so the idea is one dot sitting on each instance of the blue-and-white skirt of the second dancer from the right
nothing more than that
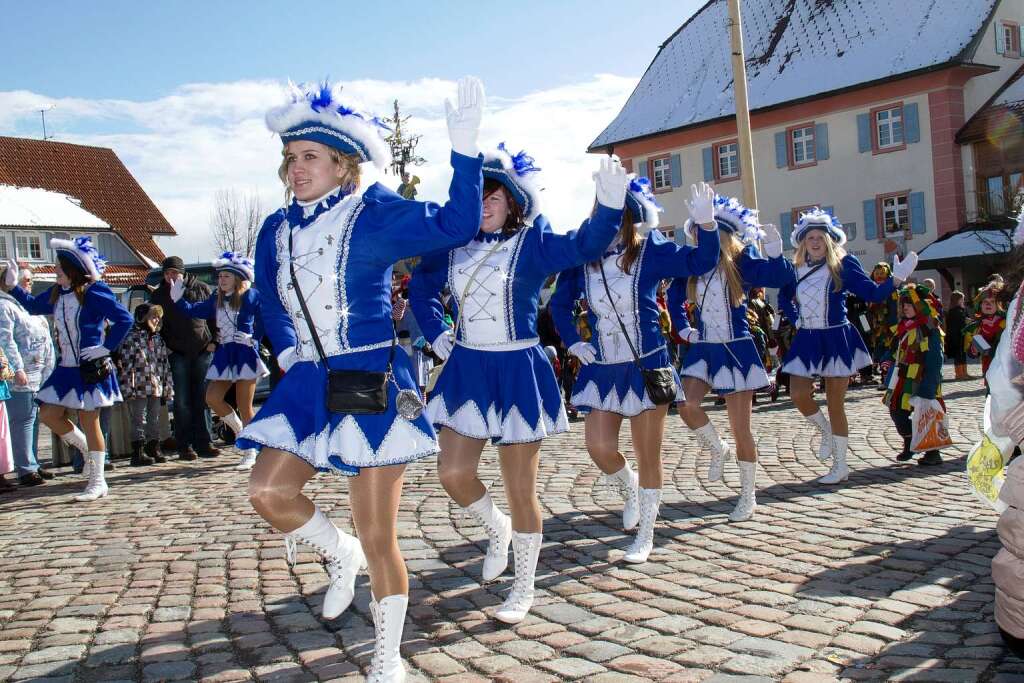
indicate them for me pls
(727, 367)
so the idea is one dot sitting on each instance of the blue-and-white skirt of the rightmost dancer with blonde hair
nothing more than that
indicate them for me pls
(835, 352)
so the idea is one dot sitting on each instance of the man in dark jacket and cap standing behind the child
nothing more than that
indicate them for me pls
(191, 344)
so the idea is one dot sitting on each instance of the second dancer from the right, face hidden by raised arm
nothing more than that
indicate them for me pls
(722, 355)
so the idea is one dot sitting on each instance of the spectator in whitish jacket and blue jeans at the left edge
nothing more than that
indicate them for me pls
(26, 341)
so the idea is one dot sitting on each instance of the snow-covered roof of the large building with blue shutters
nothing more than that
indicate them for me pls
(795, 50)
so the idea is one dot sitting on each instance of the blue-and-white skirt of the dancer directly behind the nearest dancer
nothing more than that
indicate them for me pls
(507, 397)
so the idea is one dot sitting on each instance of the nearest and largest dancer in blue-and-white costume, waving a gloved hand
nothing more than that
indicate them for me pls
(342, 240)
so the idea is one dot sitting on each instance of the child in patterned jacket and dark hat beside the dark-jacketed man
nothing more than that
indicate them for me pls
(145, 376)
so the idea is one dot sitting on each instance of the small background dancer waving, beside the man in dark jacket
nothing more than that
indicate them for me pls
(236, 363)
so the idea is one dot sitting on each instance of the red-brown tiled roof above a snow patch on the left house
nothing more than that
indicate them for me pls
(95, 176)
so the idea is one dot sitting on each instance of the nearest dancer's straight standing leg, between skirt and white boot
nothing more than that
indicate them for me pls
(375, 495)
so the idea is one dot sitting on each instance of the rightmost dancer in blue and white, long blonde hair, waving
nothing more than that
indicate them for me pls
(826, 345)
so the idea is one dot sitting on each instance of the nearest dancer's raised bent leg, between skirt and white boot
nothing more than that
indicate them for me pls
(276, 490)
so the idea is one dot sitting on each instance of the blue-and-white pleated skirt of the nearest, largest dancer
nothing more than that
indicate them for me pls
(295, 419)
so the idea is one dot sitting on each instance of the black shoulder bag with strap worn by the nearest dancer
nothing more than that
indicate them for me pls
(353, 392)
